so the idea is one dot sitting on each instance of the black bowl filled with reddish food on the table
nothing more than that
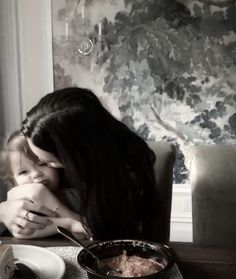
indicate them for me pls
(127, 259)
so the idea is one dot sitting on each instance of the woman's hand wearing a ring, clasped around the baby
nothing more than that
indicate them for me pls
(16, 216)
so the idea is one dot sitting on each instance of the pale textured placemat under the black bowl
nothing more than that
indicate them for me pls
(69, 254)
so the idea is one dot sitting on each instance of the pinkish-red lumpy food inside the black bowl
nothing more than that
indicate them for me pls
(133, 266)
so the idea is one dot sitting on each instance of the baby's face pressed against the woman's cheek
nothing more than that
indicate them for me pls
(26, 171)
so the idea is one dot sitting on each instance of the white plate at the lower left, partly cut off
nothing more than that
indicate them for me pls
(46, 264)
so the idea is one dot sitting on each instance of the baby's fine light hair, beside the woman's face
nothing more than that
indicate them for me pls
(15, 142)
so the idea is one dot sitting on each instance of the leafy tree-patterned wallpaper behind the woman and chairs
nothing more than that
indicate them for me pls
(165, 68)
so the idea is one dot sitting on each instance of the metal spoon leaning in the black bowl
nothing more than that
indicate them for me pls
(102, 267)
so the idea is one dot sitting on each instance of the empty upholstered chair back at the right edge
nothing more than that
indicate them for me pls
(213, 182)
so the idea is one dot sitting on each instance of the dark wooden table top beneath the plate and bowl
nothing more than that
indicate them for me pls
(193, 262)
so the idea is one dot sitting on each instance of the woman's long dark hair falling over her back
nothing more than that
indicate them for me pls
(110, 165)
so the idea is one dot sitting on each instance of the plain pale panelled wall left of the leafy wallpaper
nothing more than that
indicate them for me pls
(26, 67)
